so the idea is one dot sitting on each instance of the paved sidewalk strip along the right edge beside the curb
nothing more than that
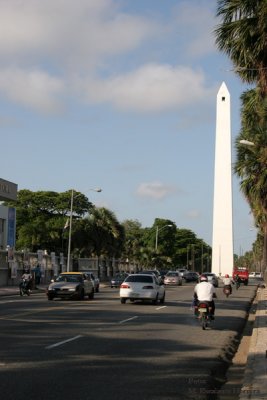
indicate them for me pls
(255, 377)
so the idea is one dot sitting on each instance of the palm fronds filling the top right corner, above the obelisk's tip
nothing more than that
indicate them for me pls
(242, 36)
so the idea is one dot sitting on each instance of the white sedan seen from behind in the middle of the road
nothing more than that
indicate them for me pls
(142, 287)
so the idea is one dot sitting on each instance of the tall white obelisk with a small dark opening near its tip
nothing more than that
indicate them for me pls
(222, 235)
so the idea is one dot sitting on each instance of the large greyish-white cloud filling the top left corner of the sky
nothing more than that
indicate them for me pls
(76, 34)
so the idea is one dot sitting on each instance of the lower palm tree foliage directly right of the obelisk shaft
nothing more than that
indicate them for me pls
(251, 164)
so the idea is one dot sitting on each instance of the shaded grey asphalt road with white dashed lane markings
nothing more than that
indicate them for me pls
(102, 349)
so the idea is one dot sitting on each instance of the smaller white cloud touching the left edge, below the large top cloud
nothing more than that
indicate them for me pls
(34, 89)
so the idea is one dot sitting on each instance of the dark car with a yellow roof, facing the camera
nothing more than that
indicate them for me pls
(71, 285)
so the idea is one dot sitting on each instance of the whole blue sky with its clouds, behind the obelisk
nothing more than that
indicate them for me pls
(119, 95)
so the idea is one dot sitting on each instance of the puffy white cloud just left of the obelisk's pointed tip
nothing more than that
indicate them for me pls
(152, 88)
